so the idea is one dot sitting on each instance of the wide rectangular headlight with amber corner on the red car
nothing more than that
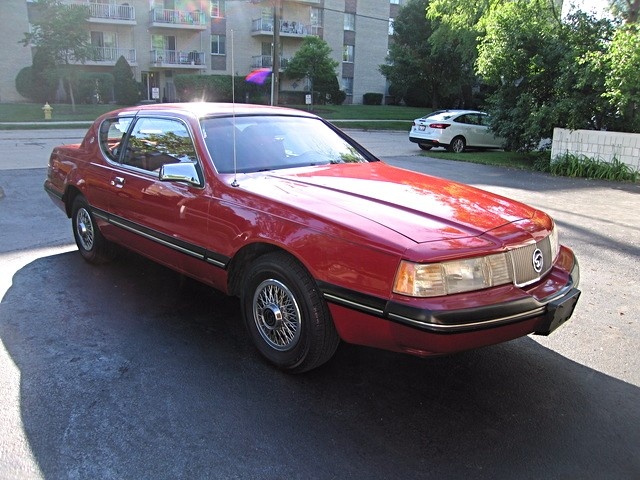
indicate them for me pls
(455, 276)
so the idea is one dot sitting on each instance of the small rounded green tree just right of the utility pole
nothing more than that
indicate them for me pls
(313, 61)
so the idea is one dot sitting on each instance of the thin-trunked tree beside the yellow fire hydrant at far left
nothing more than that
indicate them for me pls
(59, 32)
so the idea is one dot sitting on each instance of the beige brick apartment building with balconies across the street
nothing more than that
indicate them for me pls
(164, 38)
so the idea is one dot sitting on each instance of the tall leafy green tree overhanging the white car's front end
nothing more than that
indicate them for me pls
(520, 54)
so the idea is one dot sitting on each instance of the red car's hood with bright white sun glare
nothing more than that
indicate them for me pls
(378, 197)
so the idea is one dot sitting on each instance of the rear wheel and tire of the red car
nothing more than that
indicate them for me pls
(93, 247)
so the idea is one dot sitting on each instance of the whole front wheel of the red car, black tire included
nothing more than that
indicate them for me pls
(286, 315)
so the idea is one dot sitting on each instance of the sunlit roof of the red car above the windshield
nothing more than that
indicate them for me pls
(209, 109)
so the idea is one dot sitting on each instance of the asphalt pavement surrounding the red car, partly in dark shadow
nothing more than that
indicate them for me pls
(129, 371)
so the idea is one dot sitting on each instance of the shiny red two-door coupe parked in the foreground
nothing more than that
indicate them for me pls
(321, 241)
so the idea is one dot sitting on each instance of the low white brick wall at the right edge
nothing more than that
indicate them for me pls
(597, 144)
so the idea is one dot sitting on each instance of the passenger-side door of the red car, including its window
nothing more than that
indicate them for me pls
(165, 220)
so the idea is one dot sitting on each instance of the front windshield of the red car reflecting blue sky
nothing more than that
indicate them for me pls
(271, 142)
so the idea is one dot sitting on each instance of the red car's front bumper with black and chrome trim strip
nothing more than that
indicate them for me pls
(427, 327)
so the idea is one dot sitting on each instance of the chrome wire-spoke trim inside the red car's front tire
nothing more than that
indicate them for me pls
(277, 315)
